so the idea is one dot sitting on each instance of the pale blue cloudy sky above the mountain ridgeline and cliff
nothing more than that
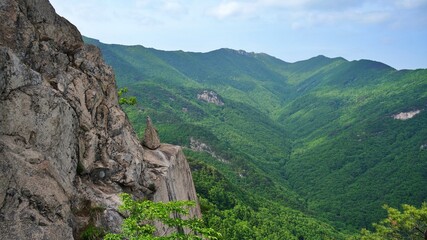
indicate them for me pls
(389, 31)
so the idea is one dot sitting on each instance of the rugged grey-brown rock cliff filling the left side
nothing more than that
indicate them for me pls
(66, 147)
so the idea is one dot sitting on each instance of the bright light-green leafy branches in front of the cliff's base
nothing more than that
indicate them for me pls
(142, 215)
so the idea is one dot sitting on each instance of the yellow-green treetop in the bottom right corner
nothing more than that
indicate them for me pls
(409, 224)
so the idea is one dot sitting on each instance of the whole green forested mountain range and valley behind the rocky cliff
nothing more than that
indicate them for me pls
(284, 146)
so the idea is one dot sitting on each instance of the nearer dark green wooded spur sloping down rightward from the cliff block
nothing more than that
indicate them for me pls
(239, 214)
